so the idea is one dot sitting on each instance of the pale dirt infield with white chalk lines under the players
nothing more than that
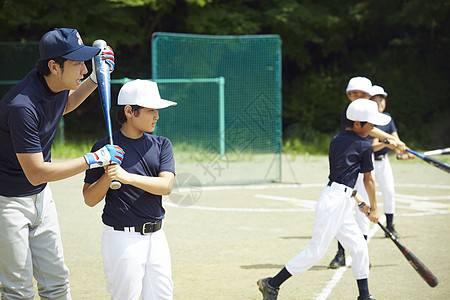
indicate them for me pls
(228, 237)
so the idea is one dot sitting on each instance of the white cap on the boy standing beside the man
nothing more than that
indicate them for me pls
(144, 93)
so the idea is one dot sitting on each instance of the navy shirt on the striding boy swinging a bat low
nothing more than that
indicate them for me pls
(349, 155)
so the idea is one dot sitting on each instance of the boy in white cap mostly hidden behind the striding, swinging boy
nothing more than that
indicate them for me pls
(361, 87)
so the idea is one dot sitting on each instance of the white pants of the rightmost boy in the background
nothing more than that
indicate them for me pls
(385, 179)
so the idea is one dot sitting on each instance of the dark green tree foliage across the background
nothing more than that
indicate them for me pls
(401, 45)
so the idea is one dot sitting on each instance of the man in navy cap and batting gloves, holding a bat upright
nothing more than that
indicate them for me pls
(29, 116)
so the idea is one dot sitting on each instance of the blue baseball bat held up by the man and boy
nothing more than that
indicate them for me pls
(104, 89)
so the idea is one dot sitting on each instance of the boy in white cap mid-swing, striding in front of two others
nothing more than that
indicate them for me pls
(350, 154)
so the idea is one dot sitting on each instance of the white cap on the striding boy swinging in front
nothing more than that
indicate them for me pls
(365, 110)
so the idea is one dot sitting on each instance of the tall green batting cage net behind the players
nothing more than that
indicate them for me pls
(226, 128)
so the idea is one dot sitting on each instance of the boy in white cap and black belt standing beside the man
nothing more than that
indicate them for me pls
(135, 252)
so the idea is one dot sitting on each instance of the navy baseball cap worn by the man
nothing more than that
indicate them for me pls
(65, 43)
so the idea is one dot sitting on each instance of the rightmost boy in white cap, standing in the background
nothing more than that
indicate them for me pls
(382, 167)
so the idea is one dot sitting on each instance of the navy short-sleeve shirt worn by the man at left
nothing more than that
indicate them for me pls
(29, 116)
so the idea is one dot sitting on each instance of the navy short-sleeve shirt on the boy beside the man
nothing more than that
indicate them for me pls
(129, 205)
